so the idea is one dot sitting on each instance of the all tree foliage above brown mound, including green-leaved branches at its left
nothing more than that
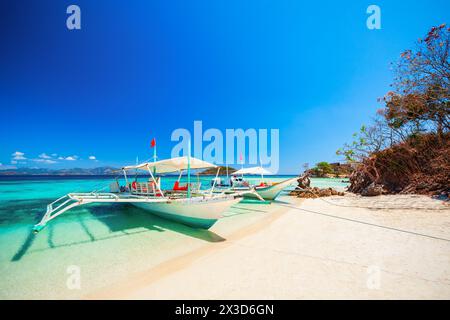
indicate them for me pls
(419, 103)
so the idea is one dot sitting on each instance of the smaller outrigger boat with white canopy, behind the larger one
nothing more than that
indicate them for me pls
(266, 190)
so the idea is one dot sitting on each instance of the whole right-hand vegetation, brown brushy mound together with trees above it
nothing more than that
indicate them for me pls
(406, 148)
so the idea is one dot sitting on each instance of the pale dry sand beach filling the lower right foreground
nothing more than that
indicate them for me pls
(387, 247)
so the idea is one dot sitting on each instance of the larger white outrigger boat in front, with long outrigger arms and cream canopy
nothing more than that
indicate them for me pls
(186, 204)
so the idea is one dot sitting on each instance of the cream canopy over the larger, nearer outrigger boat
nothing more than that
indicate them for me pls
(172, 165)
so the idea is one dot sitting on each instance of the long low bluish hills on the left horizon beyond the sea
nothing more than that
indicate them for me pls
(59, 172)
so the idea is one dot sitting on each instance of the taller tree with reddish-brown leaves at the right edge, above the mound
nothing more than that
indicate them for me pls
(420, 101)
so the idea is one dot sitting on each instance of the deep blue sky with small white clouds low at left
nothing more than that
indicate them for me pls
(141, 69)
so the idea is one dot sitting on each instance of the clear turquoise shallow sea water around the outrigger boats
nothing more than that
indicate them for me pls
(106, 241)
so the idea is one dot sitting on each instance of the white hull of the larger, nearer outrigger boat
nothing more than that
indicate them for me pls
(197, 213)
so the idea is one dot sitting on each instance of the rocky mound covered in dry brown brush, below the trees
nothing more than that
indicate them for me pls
(421, 165)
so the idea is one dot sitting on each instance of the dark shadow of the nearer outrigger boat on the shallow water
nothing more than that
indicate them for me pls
(121, 219)
